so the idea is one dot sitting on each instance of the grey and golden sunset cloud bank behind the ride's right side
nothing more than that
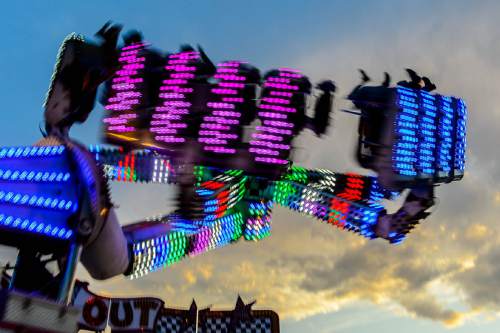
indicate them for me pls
(306, 267)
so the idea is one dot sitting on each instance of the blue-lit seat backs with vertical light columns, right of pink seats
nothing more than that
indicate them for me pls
(429, 135)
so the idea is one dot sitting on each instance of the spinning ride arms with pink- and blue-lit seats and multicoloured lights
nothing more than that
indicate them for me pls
(412, 139)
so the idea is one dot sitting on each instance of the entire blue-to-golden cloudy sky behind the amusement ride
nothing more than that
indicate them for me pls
(444, 278)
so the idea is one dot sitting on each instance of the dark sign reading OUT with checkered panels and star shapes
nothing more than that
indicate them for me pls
(145, 315)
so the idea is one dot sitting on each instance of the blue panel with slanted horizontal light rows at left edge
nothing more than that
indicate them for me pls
(38, 194)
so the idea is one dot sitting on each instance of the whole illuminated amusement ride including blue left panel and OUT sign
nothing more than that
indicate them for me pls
(179, 119)
